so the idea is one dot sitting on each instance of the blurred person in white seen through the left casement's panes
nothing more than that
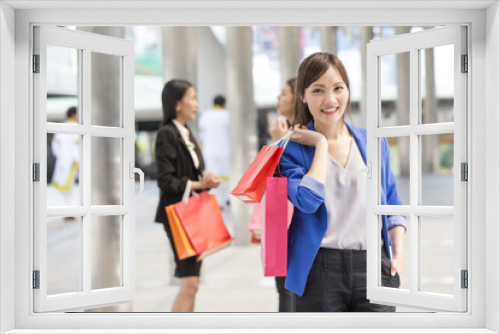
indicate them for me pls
(66, 149)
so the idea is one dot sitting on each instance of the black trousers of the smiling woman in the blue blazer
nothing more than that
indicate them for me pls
(337, 283)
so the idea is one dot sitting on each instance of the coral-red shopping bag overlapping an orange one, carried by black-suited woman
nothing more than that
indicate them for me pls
(202, 221)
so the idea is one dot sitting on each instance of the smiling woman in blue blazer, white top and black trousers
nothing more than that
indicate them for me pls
(327, 236)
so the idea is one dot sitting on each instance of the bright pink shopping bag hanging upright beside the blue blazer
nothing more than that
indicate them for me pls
(274, 231)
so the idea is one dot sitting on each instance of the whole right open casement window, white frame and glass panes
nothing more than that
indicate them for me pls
(428, 157)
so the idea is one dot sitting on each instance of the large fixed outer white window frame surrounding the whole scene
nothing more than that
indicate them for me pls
(484, 103)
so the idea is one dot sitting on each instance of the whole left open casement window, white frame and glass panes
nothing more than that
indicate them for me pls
(84, 168)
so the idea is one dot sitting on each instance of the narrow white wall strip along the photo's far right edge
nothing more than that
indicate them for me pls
(492, 163)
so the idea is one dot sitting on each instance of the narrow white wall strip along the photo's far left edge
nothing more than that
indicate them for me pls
(7, 160)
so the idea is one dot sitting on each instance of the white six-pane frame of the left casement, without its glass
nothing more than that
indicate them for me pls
(85, 44)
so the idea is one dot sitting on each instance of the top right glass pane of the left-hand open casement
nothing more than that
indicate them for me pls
(106, 90)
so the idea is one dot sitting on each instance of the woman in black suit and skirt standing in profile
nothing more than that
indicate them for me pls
(180, 171)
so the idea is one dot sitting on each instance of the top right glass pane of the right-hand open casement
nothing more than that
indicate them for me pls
(437, 84)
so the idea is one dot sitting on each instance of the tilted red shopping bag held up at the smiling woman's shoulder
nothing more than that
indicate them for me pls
(252, 185)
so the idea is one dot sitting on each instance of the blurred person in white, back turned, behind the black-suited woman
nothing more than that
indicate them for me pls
(214, 131)
